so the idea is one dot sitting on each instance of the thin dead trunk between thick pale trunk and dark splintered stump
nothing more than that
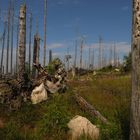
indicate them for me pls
(30, 37)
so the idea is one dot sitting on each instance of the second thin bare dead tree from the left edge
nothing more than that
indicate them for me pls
(8, 38)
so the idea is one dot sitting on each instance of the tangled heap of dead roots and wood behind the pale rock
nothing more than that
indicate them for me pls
(14, 92)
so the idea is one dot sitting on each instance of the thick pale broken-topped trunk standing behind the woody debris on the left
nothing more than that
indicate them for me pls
(22, 42)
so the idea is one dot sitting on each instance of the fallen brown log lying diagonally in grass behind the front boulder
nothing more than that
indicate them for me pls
(89, 108)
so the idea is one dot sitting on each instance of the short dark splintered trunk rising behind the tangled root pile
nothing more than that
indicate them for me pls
(36, 54)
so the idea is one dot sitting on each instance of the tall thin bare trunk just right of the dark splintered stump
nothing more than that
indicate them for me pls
(45, 18)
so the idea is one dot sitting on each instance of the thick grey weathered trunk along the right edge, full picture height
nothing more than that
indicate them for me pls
(135, 98)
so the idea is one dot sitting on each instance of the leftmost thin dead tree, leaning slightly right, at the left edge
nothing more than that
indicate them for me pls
(3, 44)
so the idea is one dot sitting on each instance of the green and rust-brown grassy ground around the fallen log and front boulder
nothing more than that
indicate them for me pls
(108, 93)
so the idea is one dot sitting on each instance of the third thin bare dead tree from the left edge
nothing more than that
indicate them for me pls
(12, 32)
